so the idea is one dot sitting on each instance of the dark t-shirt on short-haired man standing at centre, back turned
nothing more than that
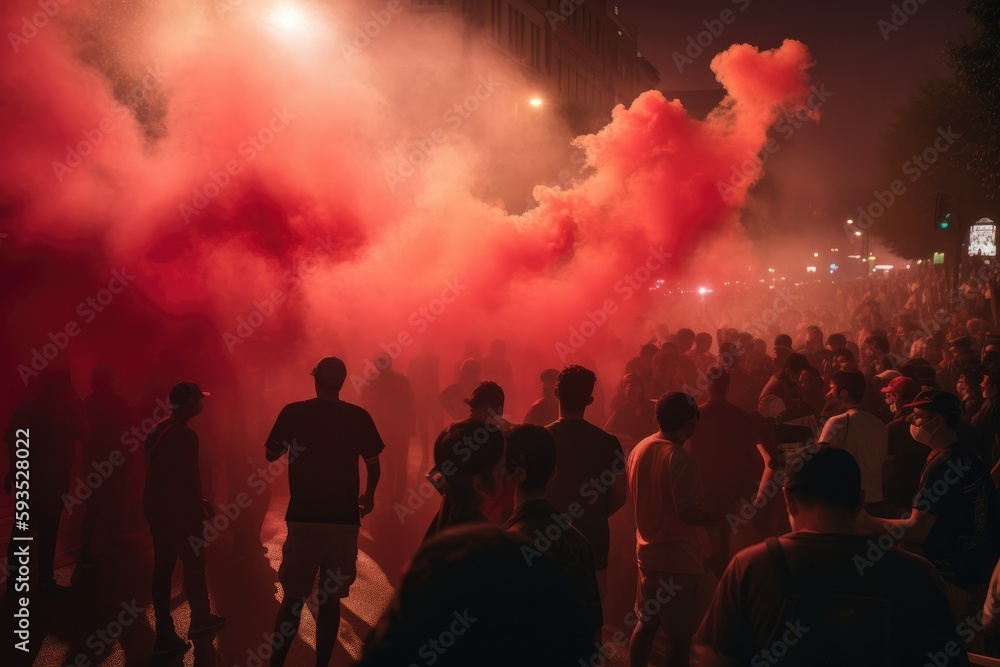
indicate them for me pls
(588, 461)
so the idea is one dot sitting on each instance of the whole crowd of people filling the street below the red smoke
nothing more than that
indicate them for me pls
(820, 488)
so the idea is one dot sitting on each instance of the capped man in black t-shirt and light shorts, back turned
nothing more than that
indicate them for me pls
(324, 437)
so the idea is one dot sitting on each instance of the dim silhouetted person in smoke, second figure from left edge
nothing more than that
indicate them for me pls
(110, 416)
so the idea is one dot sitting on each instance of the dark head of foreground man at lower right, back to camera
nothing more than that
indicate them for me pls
(823, 489)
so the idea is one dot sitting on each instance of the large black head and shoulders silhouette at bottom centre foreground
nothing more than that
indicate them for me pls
(477, 581)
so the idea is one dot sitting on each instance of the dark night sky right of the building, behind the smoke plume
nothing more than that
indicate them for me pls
(833, 163)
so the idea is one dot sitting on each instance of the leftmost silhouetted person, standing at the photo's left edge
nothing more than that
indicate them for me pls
(50, 424)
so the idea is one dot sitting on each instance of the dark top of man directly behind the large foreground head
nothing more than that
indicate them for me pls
(552, 536)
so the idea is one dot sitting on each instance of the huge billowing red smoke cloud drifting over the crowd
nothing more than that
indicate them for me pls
(279, 197)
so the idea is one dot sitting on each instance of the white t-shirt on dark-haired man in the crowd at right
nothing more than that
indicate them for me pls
(864, 436)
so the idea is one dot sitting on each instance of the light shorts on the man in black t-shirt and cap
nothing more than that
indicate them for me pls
(329, 550)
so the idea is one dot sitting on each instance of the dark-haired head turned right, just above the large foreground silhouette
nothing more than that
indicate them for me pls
(470, 457)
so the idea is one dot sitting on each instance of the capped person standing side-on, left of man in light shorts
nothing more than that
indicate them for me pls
(174, 507)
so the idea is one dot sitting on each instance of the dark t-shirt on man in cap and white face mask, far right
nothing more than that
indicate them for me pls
(957, 490)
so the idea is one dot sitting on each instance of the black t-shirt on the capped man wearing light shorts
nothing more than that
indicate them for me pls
(324, 440)
